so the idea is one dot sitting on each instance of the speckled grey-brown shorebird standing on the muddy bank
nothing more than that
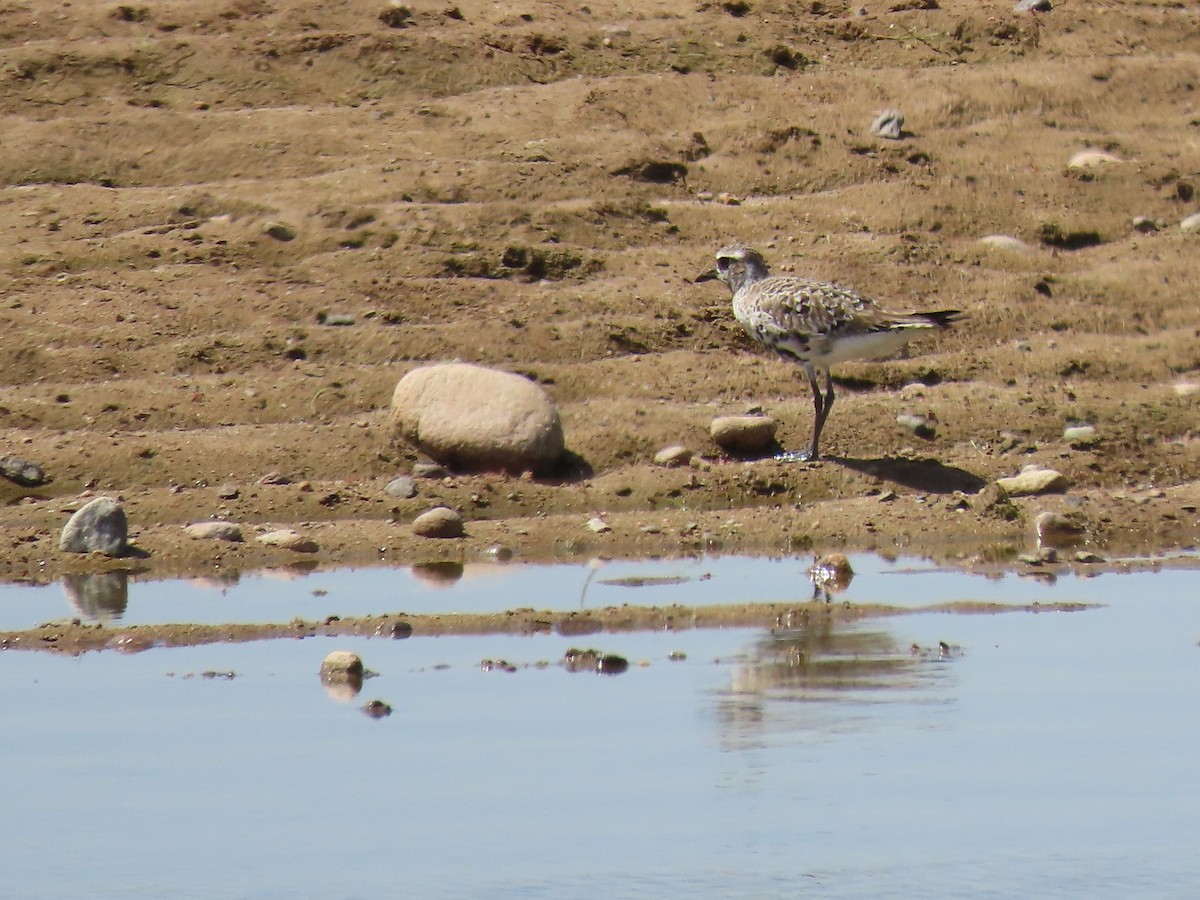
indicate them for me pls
(815, 325)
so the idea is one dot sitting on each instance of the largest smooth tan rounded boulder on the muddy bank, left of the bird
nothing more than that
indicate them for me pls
(478, 419)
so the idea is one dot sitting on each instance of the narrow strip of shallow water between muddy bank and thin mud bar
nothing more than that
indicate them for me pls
(281, 595)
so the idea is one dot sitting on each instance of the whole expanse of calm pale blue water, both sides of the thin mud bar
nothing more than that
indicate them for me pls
(1049, 754)
